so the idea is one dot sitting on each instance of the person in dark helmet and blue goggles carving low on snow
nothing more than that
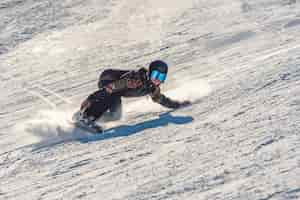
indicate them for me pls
(106, 103)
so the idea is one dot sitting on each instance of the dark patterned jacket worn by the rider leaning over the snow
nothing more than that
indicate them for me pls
(119, 84)
